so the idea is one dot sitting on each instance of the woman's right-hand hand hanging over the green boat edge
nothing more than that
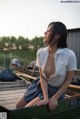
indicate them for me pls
(52, 103)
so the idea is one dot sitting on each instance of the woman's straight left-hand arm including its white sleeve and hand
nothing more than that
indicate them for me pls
(43, 81)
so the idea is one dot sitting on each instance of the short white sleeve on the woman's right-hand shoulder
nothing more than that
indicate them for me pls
(72, 62)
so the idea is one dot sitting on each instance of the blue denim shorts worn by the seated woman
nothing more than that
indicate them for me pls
(34, 90)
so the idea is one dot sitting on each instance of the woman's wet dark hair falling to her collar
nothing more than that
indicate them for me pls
(60, 28)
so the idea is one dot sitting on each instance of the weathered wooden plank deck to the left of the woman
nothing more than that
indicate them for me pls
(10, 93)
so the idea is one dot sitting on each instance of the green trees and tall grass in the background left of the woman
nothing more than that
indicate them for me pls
(22, 48)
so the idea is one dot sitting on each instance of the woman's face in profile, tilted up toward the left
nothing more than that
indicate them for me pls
(48, 35)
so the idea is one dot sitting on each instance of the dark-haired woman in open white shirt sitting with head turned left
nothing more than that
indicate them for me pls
(56, 66)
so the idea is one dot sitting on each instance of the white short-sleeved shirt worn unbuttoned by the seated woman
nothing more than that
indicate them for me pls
(65, 60)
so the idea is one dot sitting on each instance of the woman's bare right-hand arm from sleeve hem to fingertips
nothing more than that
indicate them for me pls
(54, 100)
